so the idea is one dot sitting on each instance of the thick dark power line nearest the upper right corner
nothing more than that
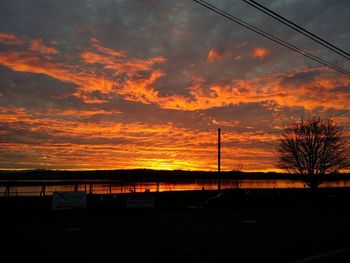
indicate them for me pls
(298, 28)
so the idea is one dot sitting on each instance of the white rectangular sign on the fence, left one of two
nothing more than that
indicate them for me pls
(68, 200)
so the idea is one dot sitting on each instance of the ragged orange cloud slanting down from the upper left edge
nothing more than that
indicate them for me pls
(85, 78)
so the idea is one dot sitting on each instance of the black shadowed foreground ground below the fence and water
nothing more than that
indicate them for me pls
(256, 226)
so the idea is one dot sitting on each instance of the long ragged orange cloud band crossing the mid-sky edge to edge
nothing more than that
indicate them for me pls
(282, 89)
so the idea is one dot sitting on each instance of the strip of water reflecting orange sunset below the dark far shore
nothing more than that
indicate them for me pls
(118, 188)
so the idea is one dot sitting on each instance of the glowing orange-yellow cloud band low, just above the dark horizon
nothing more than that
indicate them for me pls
(110, 144)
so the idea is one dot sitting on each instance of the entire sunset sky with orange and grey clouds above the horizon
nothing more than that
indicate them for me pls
(115, 84)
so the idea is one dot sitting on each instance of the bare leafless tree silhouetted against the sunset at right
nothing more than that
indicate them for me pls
(313, 148)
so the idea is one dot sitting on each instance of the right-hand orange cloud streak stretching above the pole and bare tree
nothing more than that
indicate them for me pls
(310, 95)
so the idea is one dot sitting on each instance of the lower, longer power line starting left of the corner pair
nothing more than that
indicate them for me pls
(271, 37)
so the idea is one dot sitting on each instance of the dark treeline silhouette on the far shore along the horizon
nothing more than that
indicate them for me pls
(146, 175)
